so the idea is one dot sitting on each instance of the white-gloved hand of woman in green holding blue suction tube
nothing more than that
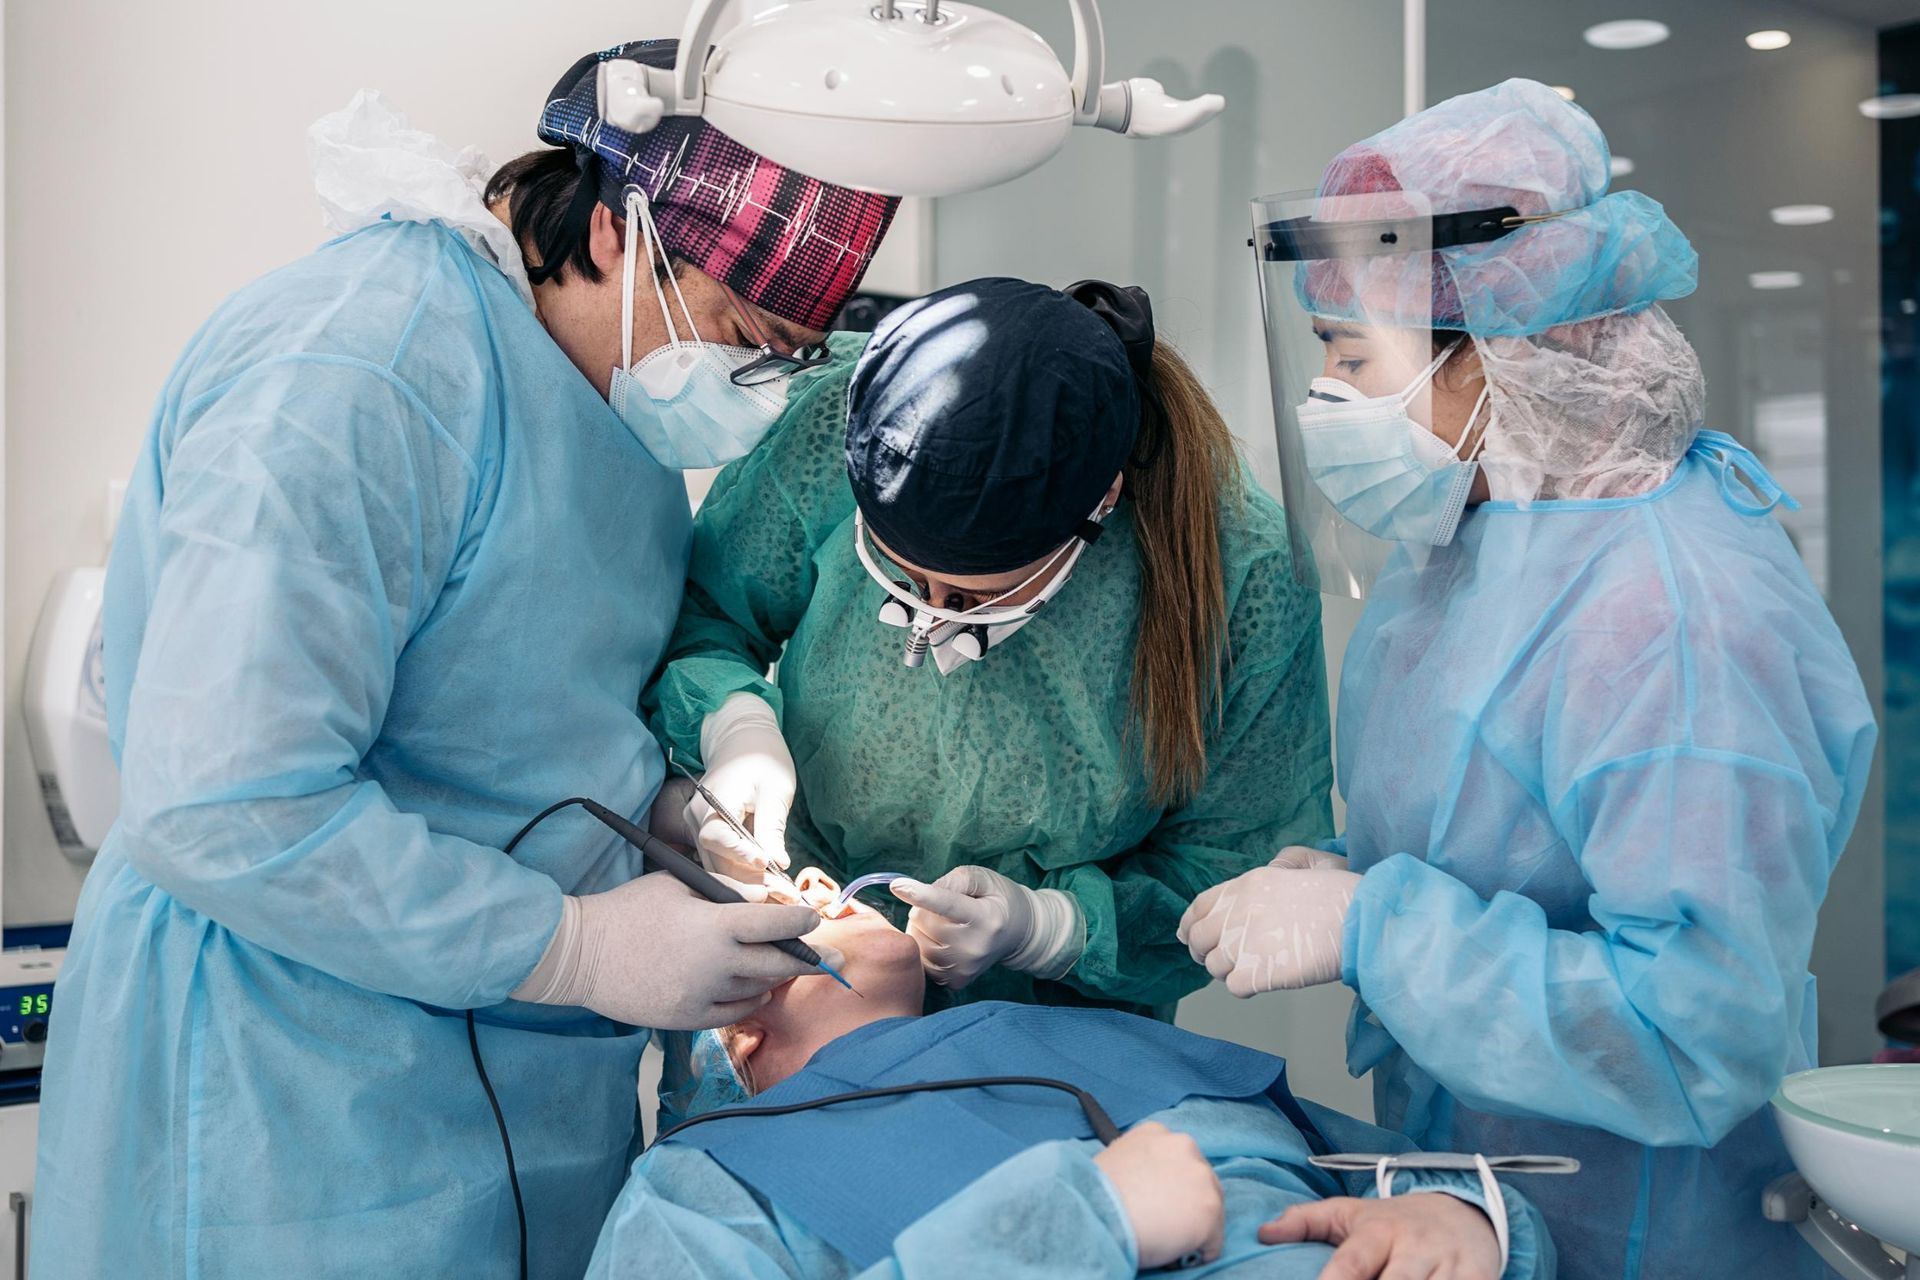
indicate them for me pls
(974, 918)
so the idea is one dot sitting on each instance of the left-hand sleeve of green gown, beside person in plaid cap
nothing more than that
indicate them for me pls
(752, 571)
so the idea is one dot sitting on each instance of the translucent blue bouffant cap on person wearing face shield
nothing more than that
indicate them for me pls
(1516, 145)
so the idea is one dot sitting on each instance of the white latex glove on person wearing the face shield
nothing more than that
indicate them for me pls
(1272, 930)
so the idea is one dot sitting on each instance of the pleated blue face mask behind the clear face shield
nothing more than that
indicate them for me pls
(1381, 469)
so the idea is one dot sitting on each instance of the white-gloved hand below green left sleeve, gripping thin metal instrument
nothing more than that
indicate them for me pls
(752, 774)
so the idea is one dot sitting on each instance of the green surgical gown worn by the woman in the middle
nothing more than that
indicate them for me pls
(1024, 763)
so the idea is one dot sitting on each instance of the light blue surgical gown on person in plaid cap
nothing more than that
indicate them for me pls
(389, 582)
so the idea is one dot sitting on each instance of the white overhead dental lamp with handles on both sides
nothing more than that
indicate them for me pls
(890, 95)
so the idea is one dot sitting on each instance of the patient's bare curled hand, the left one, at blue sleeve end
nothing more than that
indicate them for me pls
(1170, 1195)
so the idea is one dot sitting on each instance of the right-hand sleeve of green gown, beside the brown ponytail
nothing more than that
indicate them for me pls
(1268, 786)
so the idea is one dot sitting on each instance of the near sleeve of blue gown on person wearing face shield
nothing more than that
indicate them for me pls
(1671, 1020)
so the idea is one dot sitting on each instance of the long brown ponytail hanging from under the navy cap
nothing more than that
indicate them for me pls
(1182, 477)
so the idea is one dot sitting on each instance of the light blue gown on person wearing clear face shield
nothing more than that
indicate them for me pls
(1600, 759)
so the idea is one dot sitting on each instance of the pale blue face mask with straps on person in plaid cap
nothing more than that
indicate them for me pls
(681, 400)
